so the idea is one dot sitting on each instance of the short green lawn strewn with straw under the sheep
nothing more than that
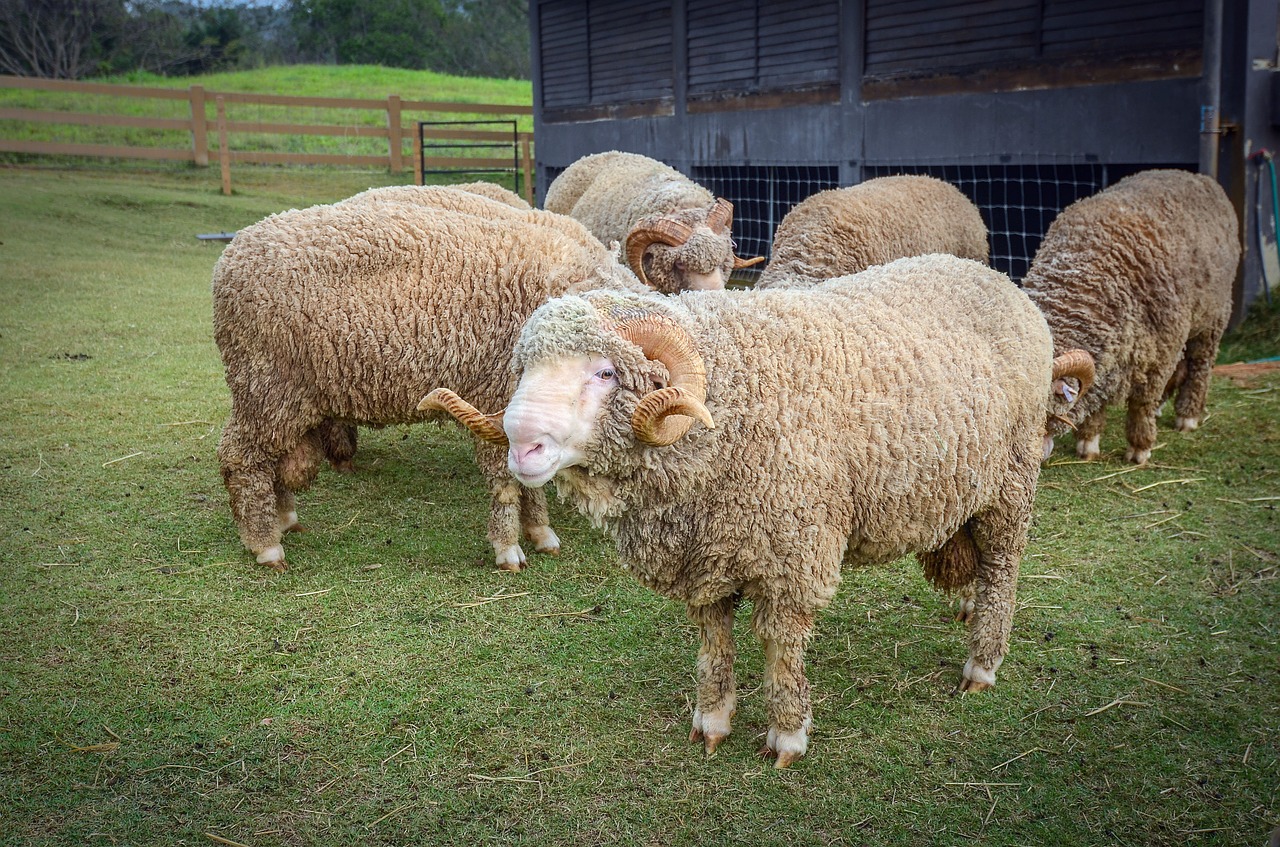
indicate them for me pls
(157, 685)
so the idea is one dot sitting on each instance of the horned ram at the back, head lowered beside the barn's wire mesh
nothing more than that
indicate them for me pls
(676, 234)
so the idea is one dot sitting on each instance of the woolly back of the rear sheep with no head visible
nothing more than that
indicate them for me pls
(845, 231)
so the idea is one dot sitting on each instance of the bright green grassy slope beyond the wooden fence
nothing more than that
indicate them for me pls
(367, 83)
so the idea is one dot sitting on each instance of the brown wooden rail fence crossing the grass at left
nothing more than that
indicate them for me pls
(217, 136)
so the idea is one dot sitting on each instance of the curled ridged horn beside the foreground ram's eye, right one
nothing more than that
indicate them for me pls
(665, 416)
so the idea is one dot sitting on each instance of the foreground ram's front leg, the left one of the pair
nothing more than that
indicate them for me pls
(717, 697)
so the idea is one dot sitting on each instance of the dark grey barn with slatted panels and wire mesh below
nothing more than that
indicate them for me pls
(1023, 104)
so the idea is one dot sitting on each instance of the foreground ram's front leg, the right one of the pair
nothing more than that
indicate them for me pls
(787, 690)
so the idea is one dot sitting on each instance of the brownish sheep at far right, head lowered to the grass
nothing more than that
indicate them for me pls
(1140, 276)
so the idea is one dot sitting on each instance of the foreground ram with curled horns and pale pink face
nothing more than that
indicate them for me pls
(899, 410)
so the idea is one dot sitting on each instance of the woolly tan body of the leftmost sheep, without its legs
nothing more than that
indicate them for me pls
(354, 312)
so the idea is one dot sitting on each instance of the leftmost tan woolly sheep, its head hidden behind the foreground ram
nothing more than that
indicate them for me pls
(326, 318)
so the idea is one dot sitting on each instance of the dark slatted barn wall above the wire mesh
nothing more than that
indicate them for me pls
(898, 97)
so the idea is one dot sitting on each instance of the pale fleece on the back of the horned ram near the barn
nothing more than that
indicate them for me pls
(611, 191)
